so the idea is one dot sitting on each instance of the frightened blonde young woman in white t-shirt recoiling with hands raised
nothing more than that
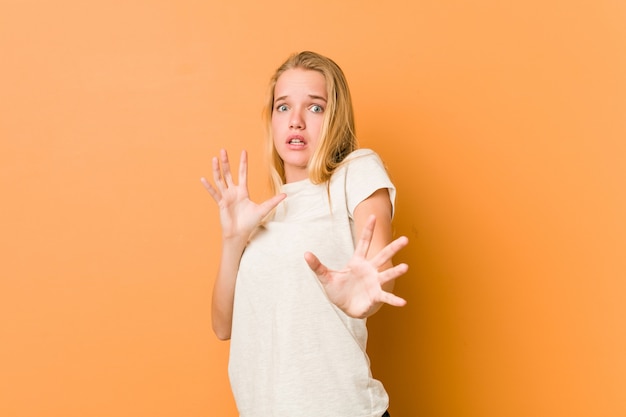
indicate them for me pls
(300, 272)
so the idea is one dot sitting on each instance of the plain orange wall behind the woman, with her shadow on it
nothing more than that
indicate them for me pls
(503, 125)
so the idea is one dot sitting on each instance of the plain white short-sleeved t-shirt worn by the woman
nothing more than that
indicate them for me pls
(293, 353)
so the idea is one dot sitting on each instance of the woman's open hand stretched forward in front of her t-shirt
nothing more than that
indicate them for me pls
(357, 290)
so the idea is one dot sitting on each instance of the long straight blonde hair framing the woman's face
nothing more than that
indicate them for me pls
(338, 138)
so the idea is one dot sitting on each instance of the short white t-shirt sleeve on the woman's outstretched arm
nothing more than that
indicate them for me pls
(365, 174)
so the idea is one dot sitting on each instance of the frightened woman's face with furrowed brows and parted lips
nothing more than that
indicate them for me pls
(297, 118)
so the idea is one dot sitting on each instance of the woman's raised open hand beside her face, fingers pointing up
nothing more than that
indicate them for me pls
(239, 216)
